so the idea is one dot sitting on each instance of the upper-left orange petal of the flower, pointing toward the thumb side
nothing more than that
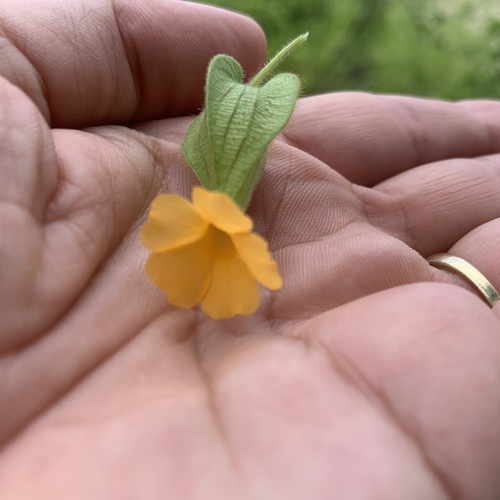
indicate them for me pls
(172, 223)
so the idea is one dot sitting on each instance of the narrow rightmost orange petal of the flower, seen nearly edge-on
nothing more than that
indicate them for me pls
(253, 251)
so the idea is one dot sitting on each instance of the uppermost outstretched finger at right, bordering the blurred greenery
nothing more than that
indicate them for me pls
(369, 138)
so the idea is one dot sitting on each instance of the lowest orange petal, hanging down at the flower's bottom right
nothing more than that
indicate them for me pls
(233, 290)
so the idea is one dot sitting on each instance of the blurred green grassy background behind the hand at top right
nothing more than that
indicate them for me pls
(438, 48)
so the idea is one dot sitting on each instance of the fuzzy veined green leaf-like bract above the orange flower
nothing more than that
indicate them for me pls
(227, 143)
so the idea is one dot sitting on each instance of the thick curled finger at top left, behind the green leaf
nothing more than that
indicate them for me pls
(104, 61)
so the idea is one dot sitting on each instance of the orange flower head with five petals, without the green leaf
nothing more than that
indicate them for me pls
(205, 253)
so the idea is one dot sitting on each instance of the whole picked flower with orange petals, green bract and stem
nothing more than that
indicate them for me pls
(205, 252)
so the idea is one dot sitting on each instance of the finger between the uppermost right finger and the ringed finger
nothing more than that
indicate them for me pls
(432, 207)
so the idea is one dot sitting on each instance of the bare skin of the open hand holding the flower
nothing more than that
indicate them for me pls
(370, 375)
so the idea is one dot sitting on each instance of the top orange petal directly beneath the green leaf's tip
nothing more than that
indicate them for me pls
(221, 211)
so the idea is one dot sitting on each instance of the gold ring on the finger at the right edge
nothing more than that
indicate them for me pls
(469, 272)
